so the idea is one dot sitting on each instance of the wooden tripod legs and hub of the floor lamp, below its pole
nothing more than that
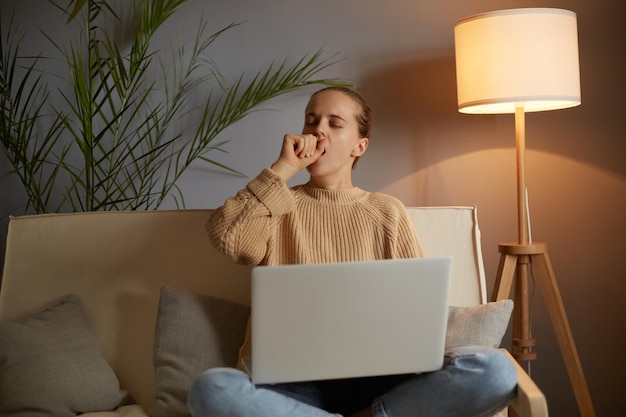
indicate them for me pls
(516, 257)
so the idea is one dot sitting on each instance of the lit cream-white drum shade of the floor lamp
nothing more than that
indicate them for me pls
(517, 58)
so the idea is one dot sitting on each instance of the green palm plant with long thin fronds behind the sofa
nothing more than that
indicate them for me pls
(115, 141)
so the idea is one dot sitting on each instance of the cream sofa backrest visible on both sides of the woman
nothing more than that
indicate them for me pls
(117, 263)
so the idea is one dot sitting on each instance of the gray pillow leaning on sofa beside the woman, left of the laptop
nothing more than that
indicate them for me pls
(194, 332)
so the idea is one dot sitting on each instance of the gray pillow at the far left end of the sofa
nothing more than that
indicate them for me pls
(51, 365)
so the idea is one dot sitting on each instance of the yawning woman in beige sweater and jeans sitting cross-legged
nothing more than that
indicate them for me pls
(329, 220)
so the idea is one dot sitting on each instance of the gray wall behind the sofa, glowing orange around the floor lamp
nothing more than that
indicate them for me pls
(400, 54)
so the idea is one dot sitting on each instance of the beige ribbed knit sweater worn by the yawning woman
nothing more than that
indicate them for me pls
(268, 223)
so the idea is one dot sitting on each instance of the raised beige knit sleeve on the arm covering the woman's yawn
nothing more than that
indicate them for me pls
(243, 227)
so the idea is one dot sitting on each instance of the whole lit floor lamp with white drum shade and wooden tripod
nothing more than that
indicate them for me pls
(518, 61)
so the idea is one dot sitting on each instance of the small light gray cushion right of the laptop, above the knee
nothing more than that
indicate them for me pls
(479, 325)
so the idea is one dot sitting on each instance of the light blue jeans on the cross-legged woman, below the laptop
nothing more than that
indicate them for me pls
(475, 381)
